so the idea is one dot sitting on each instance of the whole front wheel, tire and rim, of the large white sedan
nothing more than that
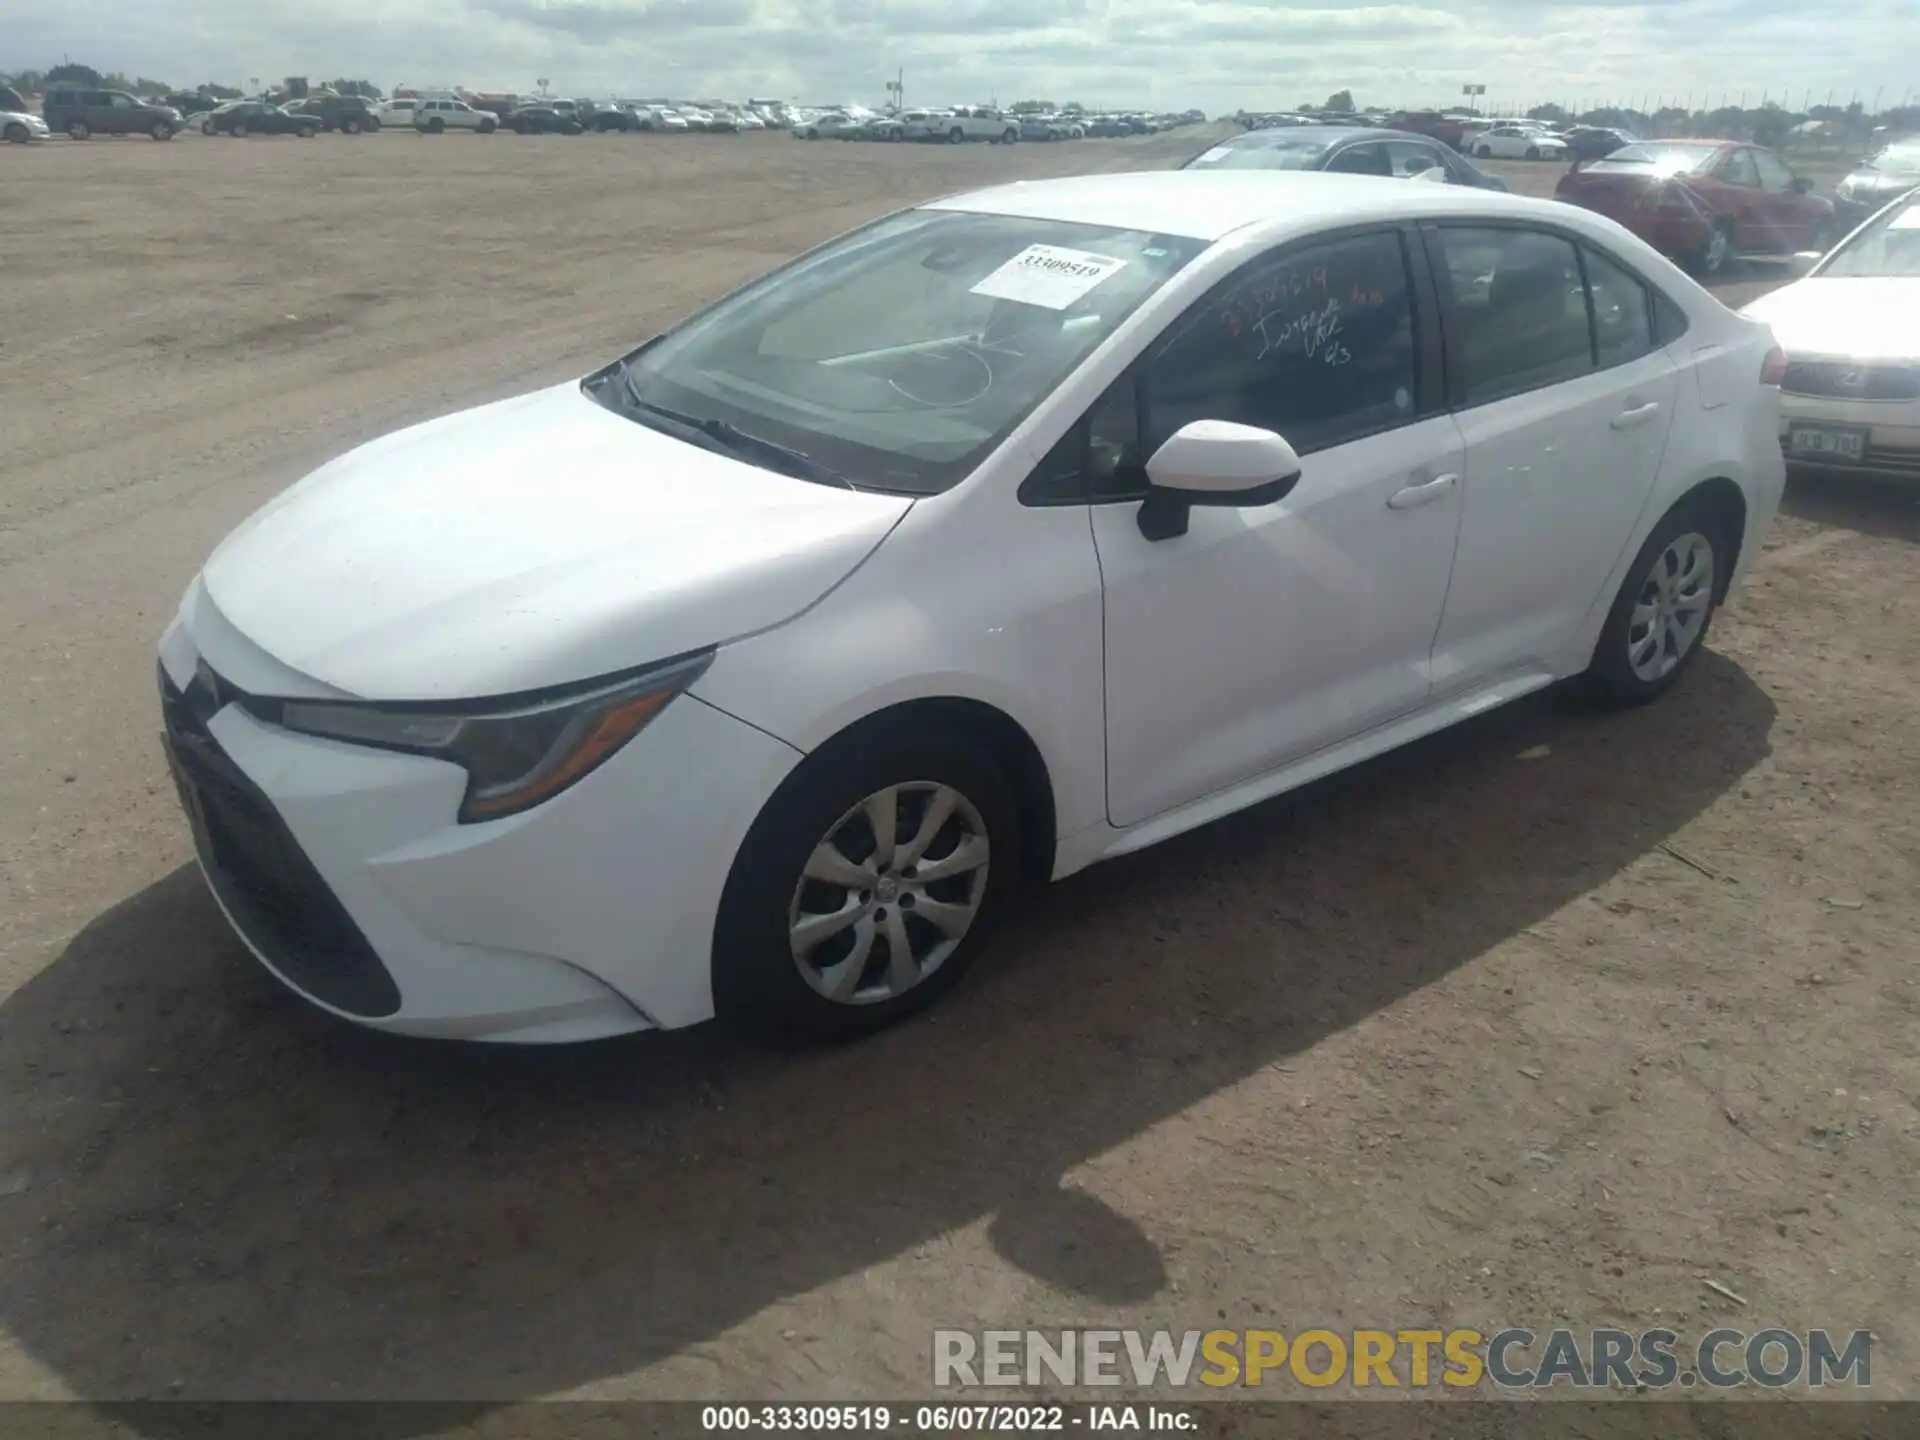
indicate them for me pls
(867, 886)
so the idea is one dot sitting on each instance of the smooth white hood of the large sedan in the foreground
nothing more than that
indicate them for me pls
(527, 544)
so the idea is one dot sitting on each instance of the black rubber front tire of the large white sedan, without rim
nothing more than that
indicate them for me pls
(757, 982)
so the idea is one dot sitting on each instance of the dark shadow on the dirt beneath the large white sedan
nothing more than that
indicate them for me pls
(229, 1193)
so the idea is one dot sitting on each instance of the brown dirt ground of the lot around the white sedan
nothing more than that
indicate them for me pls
(1547, 1020)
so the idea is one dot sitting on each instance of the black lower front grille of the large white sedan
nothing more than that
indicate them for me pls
(268, 884)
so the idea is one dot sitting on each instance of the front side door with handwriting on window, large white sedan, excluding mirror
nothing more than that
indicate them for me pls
(1264, 635)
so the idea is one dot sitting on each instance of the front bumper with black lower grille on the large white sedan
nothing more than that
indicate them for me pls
(347, 873)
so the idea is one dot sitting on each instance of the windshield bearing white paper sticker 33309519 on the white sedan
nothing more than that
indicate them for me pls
(907, 350)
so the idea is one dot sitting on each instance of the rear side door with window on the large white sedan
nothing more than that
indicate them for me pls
(1564, 402)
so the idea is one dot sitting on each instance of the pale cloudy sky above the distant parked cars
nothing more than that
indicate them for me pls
(1168, 55)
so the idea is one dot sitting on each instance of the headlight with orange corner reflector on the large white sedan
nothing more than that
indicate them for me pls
(516, 756)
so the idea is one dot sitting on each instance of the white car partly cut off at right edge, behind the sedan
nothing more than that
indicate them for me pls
(1852, 333)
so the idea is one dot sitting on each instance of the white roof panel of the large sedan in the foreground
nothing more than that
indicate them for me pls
(1212, 204)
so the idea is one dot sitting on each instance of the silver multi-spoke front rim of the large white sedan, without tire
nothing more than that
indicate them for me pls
(890, 894)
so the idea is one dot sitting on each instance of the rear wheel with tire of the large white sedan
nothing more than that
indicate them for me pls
(1662, 615)
